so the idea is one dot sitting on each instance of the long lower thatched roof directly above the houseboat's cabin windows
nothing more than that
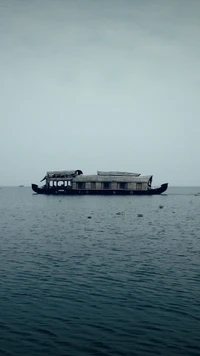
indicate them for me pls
(125, 179)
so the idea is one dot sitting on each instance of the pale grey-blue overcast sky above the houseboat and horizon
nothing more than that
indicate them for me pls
(100, 85)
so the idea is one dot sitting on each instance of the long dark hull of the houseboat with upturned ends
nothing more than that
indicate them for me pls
(59, 191)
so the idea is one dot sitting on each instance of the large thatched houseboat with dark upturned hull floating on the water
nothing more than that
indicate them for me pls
(103, 183)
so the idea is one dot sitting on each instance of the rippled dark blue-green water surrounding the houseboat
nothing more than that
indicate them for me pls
(112, 284)
